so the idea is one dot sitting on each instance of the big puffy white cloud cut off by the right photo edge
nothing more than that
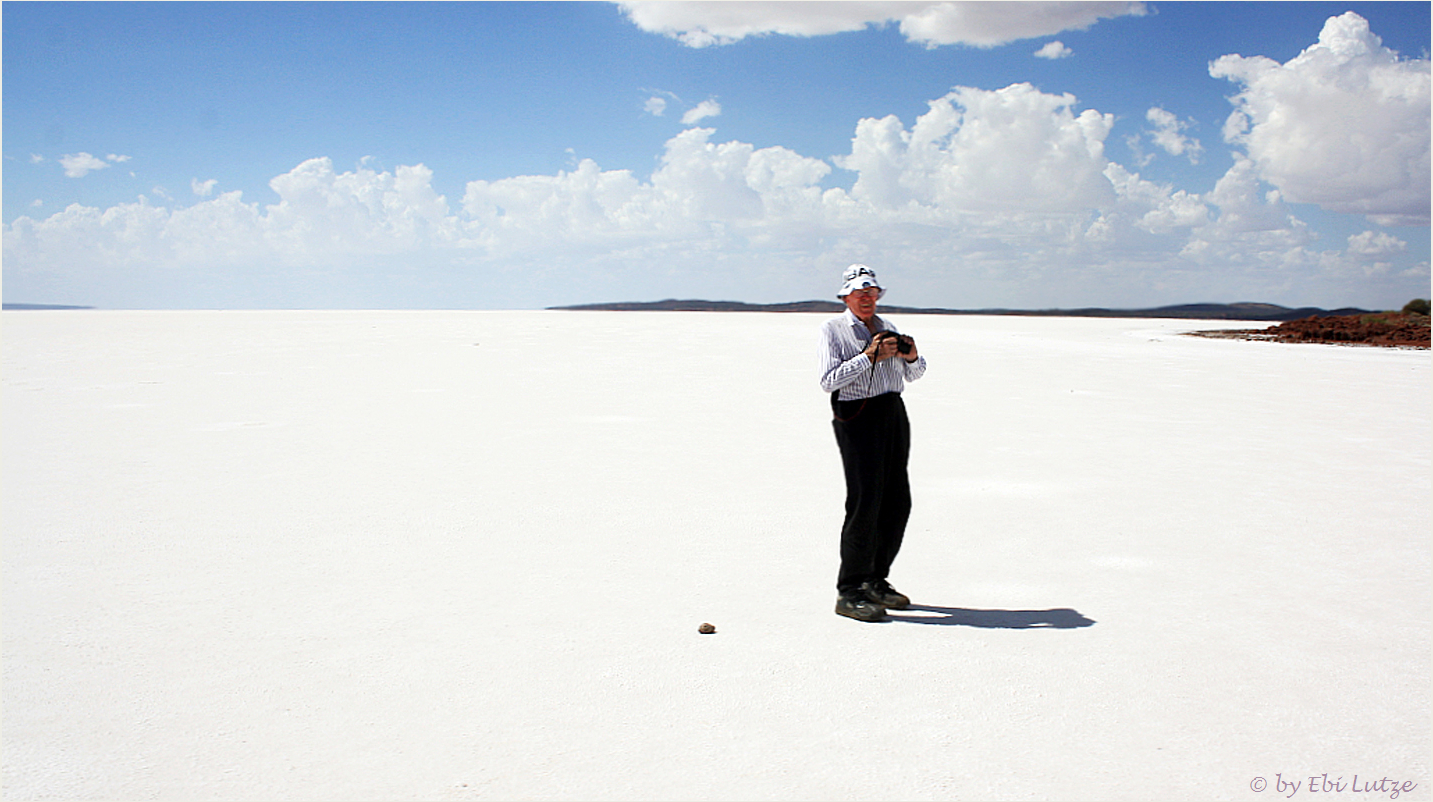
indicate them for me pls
(1343, 125)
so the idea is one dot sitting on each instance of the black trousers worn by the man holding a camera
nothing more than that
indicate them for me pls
(875, 440)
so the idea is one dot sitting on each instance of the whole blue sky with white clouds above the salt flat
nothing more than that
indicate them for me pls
(524, 155)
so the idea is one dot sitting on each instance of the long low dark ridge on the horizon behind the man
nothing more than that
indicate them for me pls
(1189, 311)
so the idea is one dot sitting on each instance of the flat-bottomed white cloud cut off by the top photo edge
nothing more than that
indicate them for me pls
(703, 24)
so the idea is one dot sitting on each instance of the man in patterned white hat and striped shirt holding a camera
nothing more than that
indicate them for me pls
(865, 367)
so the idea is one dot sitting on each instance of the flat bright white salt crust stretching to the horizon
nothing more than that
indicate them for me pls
(465, 556)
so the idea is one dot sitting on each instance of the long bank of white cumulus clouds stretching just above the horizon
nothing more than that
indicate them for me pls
(1004, 190)
